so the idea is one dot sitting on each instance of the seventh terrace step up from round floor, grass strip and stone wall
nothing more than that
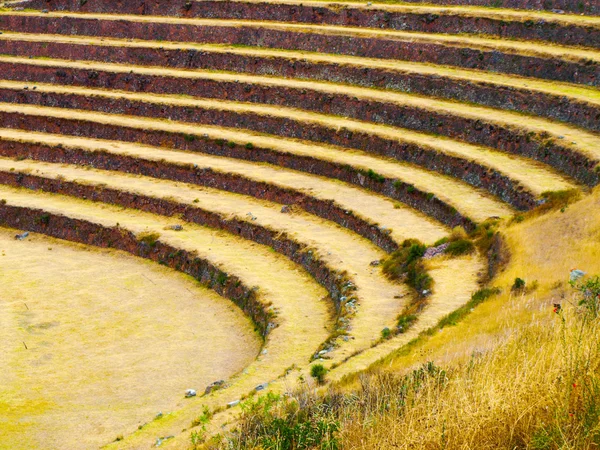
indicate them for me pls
(559, 101)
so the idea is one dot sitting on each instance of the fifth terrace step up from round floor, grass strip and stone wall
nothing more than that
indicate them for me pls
(512, 180)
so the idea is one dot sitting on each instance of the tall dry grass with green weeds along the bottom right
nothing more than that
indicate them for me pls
(539, 388)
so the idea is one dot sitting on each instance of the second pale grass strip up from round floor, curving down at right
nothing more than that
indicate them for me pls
(338, 248)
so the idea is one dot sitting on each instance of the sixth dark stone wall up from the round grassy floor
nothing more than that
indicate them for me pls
(476, 131)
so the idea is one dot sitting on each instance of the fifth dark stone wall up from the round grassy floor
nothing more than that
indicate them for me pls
(469, 171)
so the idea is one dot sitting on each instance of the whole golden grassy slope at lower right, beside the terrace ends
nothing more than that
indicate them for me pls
(512, 374)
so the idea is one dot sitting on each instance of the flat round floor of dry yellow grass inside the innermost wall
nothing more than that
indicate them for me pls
(111, 341)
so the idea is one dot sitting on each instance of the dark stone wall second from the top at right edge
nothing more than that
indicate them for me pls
(343, 15)
